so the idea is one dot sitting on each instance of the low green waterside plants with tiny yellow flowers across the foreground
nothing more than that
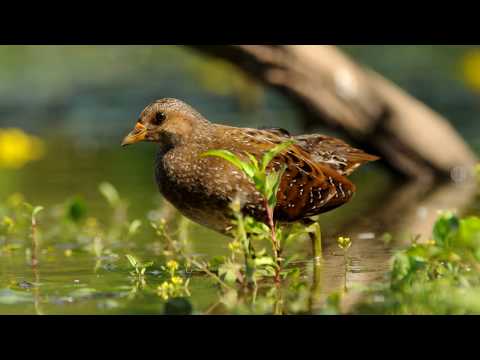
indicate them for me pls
(436, 275)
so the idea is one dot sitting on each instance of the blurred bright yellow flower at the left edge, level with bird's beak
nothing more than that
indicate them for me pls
(17, 148)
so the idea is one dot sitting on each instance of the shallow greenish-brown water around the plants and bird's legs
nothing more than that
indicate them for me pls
(69, 280)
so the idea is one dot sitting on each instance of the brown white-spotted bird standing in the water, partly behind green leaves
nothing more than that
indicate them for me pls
(202, 188)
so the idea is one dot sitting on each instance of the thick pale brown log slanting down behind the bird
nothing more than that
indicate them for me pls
(371, 111)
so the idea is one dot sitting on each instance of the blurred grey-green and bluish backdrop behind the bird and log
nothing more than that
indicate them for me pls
(92, 92)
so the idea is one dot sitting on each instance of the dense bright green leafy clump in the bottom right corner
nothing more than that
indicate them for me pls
(437, 276)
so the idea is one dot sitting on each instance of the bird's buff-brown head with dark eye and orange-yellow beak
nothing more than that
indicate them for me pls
(166, 121)
